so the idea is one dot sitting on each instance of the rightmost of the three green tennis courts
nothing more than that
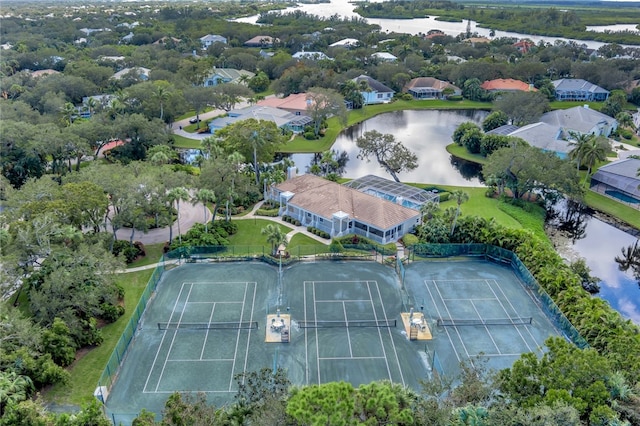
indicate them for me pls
(476, 310)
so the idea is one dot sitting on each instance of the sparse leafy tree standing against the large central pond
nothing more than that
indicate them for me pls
(390, 154)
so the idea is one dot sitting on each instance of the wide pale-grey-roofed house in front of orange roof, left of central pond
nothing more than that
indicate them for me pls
(283, 119)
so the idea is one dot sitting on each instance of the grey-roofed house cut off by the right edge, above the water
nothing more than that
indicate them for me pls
(619, 180)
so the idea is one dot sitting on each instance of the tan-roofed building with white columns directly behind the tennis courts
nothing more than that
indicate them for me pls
(340, 210)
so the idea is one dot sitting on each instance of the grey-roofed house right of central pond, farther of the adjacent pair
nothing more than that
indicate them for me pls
(582, 120)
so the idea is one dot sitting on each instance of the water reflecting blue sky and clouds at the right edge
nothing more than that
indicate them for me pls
(599, 243)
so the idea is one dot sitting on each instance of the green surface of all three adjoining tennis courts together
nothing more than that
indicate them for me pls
(199, 329)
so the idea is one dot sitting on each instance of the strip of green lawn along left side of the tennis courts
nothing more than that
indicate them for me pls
(86, 371)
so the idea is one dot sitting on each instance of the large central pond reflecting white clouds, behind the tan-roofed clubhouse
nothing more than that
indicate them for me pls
(426, 133)
